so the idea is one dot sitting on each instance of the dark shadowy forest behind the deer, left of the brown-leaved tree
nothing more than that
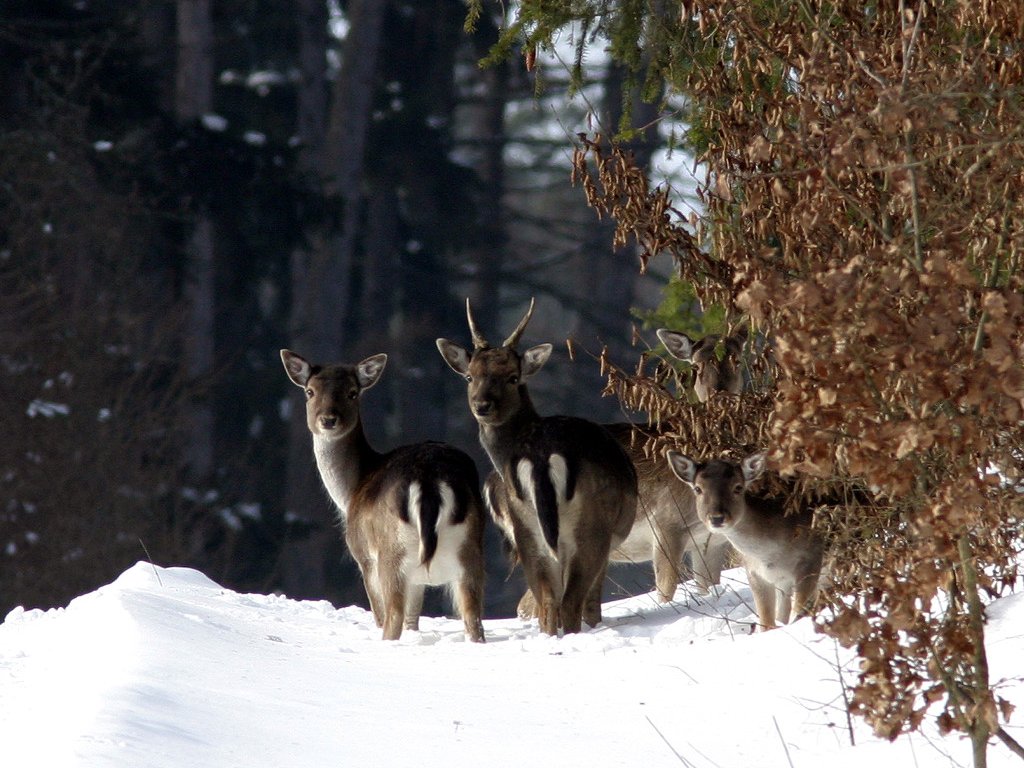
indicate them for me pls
(186, 188)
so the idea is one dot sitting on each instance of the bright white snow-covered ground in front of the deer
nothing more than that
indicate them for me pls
(165, 668)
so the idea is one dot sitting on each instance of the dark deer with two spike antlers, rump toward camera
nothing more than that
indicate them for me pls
(572, 490)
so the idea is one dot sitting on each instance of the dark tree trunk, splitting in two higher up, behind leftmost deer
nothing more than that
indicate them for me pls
(322, 276)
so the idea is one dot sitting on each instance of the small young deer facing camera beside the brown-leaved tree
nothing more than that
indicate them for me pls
(783, 553)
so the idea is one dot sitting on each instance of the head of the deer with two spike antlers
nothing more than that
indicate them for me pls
(496, 376)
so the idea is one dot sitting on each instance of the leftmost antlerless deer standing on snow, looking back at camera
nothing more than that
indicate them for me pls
(413, 517)
